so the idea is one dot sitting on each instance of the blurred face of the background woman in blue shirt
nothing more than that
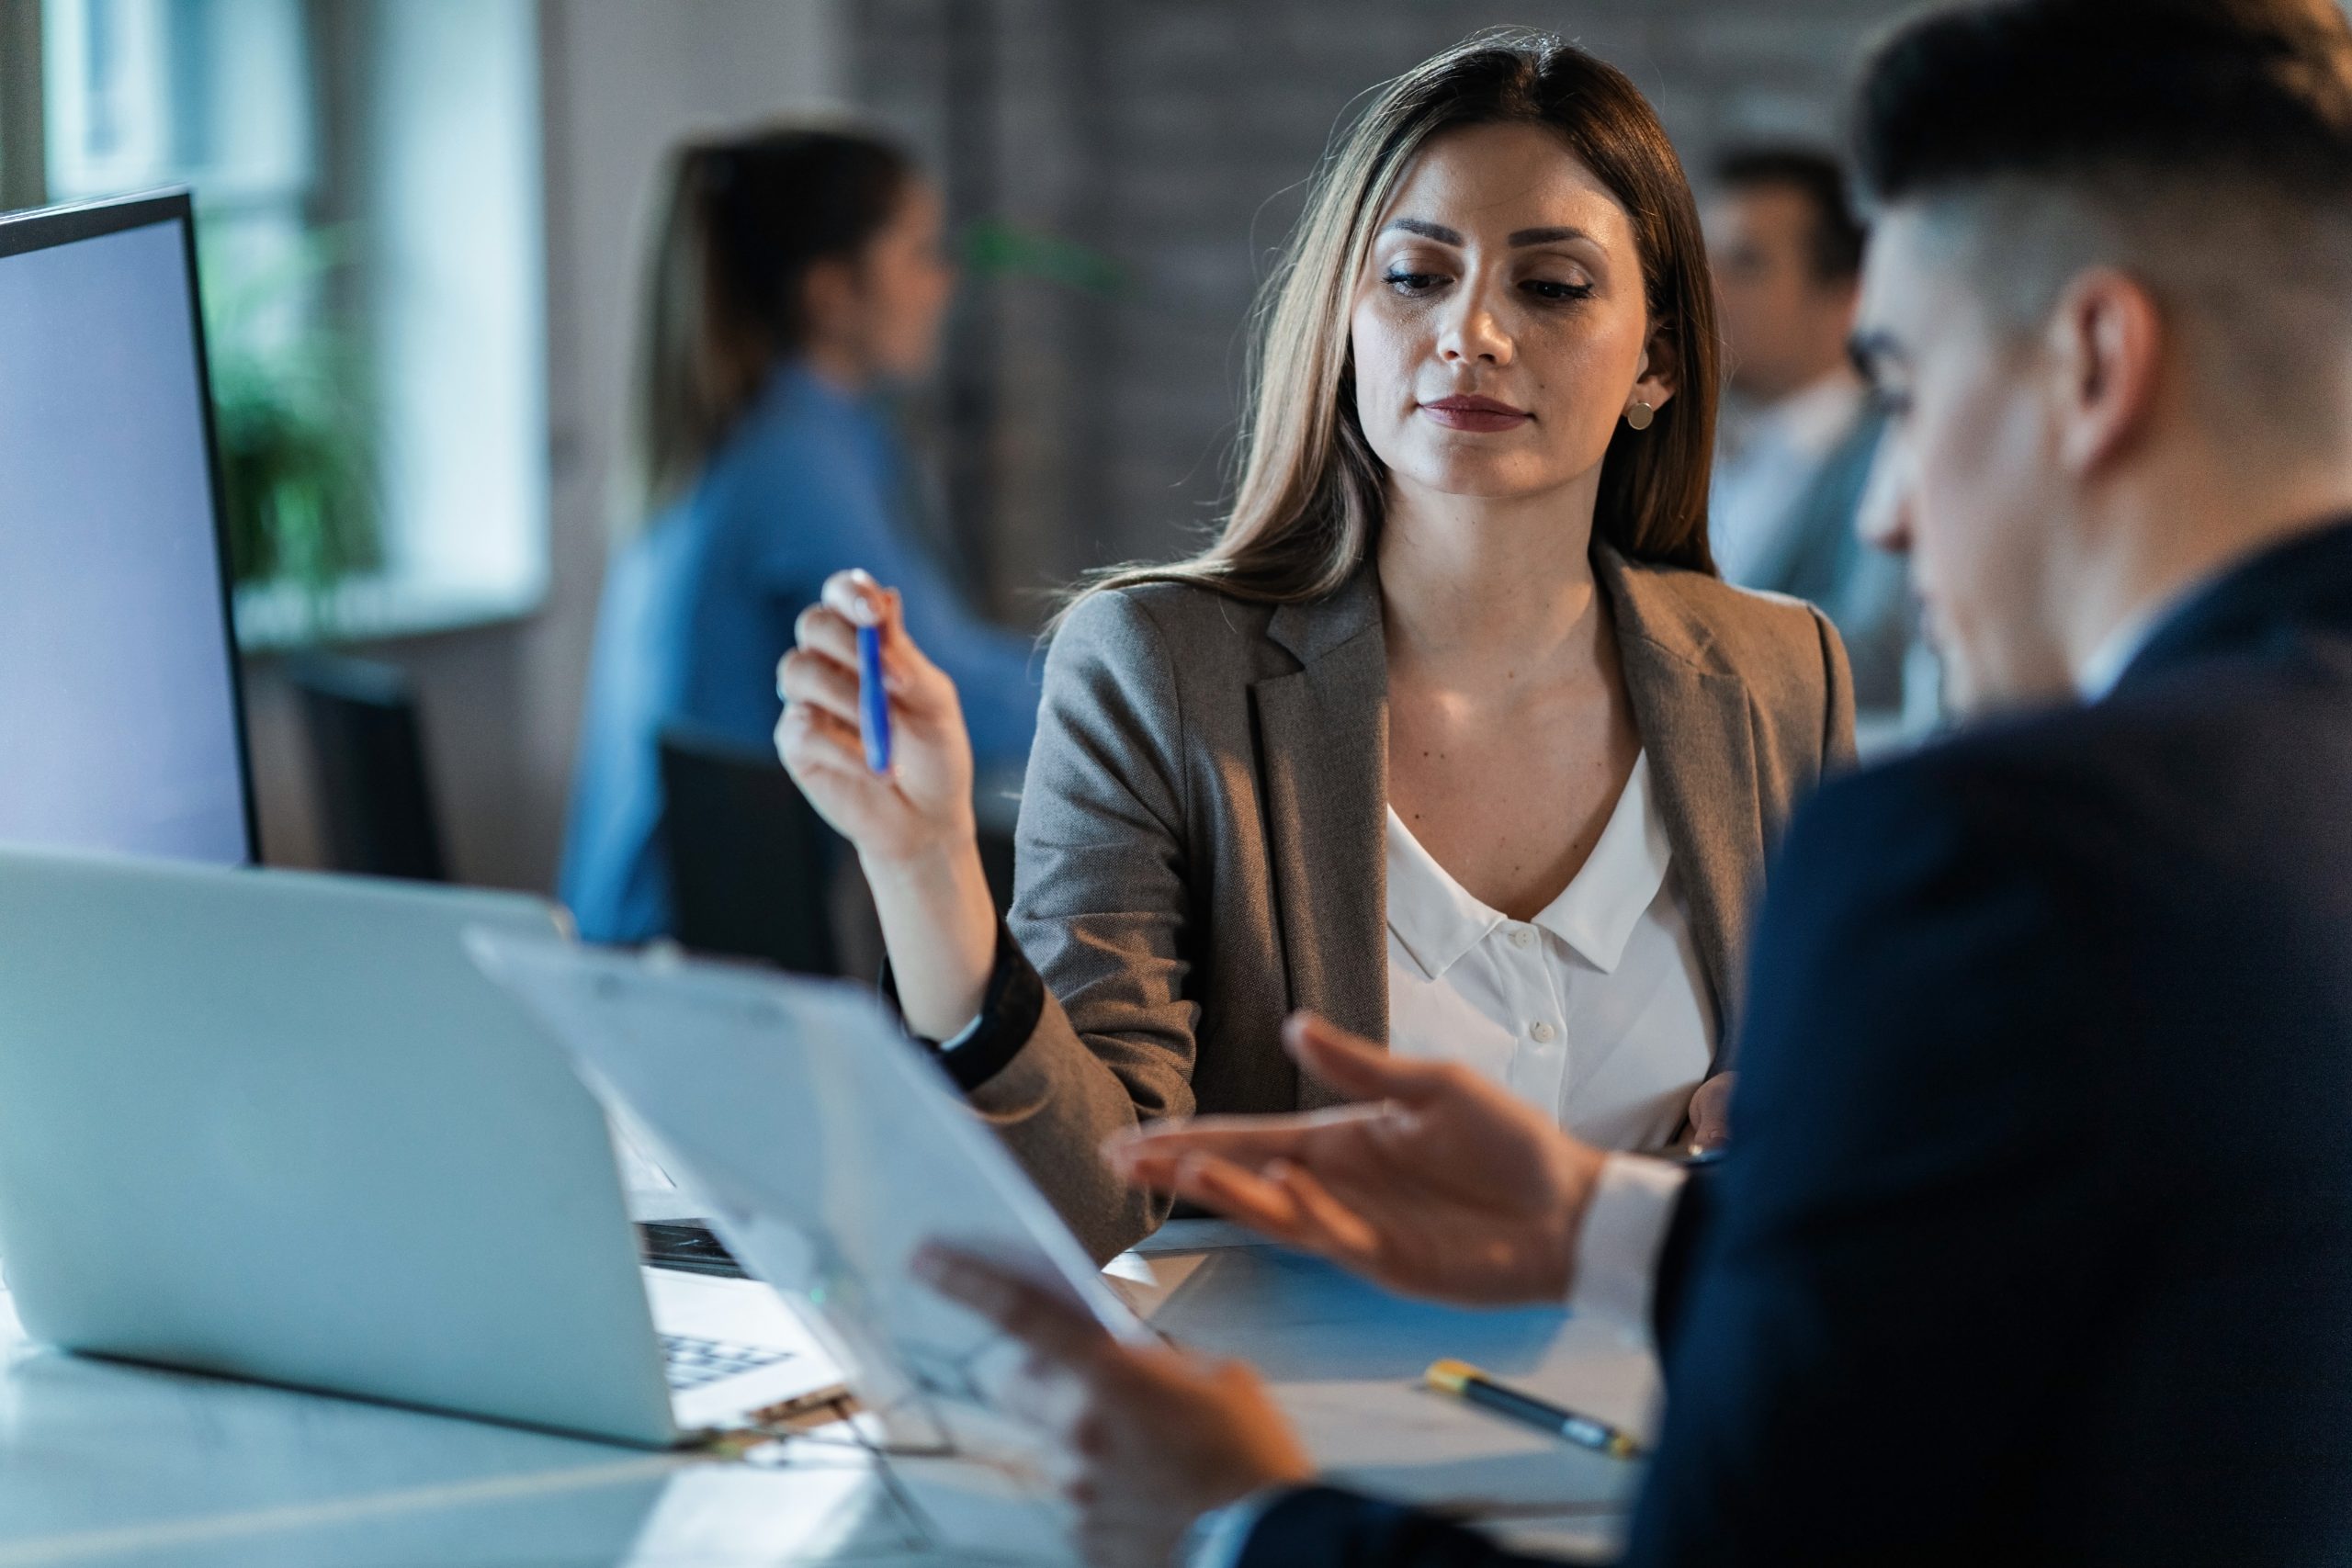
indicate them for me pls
(883, 314)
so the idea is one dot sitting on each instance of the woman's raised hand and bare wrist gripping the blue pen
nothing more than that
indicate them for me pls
(911, 824)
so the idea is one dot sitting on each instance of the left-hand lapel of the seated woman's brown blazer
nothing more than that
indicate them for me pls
(1323, 768)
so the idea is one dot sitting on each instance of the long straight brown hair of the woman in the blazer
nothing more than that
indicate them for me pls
(1309, 497)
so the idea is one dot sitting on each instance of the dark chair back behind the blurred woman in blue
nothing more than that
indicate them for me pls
(751, 864)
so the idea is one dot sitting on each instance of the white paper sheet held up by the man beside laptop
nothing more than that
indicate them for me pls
(824, 1148)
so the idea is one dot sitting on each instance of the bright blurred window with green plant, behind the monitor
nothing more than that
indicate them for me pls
(368, 225)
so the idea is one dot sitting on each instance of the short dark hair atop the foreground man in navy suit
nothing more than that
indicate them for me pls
(2078, 91)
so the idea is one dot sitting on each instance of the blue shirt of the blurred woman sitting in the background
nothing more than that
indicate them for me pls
(702, 605)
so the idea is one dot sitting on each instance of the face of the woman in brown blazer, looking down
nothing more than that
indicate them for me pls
(1499, 326)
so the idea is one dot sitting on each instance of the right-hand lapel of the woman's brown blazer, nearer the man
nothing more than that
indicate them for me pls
(1699, 737)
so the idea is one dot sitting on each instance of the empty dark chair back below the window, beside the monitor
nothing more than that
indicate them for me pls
(368, 765)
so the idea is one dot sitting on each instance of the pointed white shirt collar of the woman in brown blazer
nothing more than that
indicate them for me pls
(1596, 916)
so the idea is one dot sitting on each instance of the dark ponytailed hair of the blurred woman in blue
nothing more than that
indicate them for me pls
(744, 222)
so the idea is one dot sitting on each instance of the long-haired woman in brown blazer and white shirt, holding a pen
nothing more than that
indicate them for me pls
(1464, 596)
